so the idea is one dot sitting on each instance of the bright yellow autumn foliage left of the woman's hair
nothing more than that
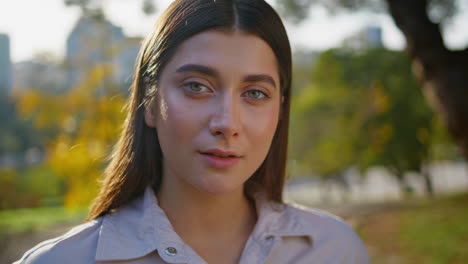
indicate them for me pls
(88, 118)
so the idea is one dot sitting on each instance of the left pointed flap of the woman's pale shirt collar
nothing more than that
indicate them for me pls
(138, 229)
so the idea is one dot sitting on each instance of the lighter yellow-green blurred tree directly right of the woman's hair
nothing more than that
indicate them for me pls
(319, 113)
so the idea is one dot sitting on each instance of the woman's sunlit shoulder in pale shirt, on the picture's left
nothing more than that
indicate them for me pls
(76, 246)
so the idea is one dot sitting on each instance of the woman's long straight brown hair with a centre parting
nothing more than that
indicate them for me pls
(137, 158)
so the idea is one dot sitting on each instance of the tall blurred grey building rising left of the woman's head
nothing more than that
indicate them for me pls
(96, 41)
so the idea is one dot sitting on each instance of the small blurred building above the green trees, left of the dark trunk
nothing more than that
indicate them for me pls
(368, 38)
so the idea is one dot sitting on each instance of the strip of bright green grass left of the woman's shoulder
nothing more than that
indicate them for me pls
(24, 220)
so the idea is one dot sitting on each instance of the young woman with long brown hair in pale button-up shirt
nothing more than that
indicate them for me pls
(197, 175)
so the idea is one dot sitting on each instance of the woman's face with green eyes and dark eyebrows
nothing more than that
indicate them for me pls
(216, 111)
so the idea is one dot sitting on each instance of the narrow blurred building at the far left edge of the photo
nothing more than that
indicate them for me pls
(5, 64)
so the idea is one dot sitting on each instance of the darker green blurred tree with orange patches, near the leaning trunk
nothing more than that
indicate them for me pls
(397, 134)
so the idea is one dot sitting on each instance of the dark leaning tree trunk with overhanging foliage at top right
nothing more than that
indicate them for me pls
(442, 72)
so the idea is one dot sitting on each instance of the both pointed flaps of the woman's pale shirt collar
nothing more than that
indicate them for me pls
(141, 227)
